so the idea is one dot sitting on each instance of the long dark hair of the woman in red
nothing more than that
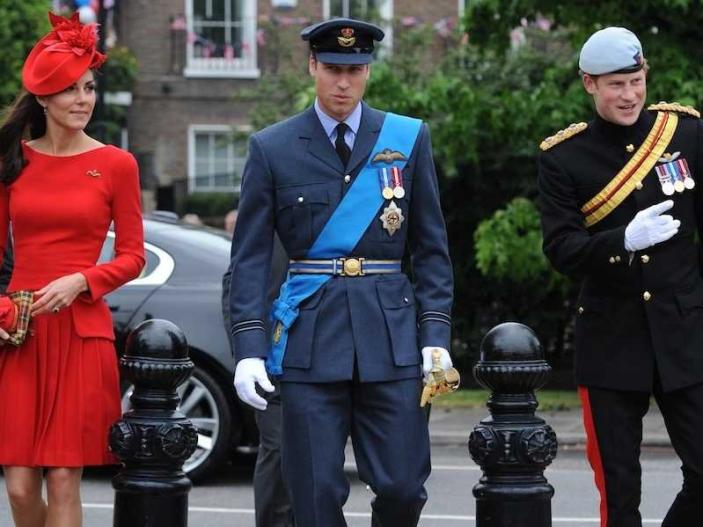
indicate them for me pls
(24, 117)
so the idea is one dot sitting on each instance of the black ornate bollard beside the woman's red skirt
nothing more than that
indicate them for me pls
(153, 439)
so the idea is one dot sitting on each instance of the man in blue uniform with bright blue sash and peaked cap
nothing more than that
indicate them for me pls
(348, 188)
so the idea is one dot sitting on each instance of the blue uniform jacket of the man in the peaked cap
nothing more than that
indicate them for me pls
(292, 182)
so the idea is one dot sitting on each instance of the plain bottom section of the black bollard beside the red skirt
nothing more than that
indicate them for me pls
(150, 503)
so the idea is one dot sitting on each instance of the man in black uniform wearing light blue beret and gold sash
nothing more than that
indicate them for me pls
(621, 209)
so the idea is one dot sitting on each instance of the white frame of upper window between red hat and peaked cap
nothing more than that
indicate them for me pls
(219, 67)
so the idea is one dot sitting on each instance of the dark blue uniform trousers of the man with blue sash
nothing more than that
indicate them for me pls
(391, 445)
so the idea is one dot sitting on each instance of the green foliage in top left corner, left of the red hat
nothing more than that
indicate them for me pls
(22, 23)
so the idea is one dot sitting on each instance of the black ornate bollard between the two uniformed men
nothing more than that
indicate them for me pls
(513, 446)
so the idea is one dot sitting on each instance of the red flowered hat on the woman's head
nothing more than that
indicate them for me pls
(61, 56)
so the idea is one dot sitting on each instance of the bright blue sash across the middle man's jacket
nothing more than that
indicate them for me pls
(341, 233)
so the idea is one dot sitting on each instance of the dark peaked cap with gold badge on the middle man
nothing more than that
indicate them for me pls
(342, 40)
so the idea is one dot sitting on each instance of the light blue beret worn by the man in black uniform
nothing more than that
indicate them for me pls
(611, 50)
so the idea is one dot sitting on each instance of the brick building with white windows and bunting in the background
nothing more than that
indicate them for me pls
(194, 55)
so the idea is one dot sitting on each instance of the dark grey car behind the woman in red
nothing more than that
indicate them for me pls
(182, 282)
